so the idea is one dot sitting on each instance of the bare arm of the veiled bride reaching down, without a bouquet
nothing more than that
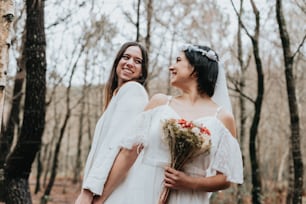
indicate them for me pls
(123, 162)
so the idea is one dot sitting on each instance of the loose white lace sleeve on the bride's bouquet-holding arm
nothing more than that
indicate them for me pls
(227, 158)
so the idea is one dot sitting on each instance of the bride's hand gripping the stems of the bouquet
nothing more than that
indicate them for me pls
(175, 179)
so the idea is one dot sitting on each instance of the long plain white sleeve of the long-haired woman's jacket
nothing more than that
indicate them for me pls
(112, 127)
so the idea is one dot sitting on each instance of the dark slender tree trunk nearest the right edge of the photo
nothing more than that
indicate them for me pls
(293, 107)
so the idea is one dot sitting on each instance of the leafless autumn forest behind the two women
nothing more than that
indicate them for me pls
(60, 54)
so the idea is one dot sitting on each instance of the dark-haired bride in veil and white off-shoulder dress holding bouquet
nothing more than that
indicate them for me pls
(204, 100)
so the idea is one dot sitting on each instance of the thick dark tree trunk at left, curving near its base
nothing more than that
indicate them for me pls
(19, 163)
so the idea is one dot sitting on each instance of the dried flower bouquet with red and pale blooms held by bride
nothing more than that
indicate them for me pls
(186, 140)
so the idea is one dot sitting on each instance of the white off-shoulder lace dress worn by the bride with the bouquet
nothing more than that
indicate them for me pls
(145, 179)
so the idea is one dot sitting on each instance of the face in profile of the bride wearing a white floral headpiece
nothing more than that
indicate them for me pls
(180, 71)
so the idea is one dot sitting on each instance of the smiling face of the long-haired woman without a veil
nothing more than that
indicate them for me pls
(130, 65)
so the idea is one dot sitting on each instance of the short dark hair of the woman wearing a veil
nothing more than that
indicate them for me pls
(205, 69)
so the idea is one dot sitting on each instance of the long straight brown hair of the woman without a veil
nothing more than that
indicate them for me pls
(112, 82)
